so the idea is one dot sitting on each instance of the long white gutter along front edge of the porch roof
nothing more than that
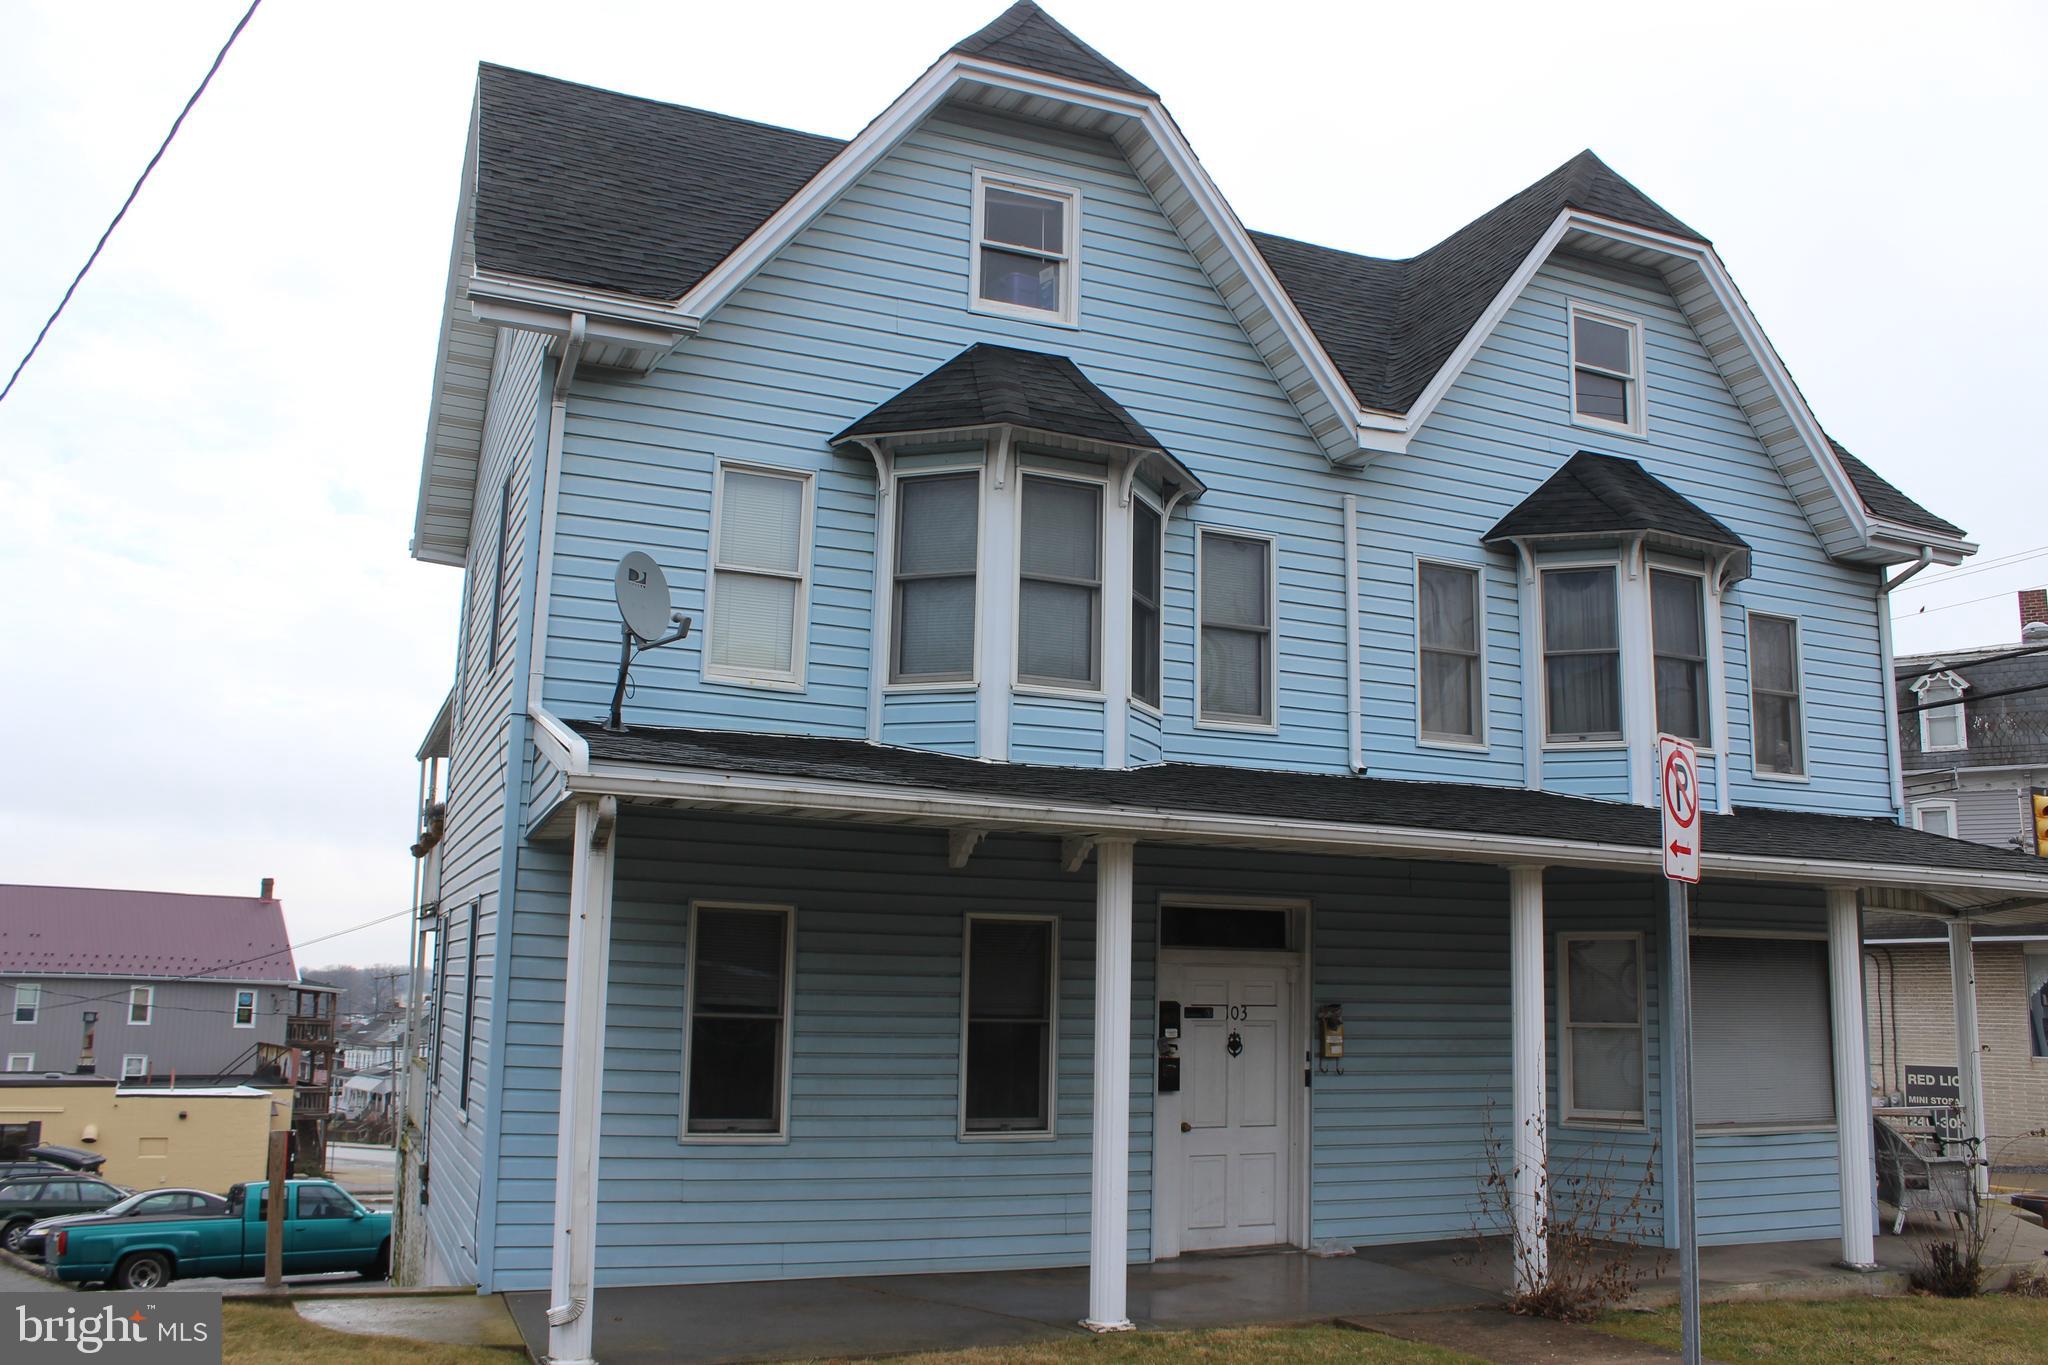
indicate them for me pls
(749, 791)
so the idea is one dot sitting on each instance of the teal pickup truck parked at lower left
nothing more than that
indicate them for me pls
(325, 1231)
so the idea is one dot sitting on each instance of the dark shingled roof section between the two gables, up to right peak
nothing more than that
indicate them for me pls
(1392, 324)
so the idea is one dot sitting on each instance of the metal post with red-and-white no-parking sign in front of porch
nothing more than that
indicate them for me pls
(1678, 768)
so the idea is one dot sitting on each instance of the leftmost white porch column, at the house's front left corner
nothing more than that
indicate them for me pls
(583, 1086)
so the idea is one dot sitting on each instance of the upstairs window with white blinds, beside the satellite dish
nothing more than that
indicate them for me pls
(759, 595)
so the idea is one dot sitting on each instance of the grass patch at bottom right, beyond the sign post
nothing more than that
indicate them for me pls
(1914, 1331)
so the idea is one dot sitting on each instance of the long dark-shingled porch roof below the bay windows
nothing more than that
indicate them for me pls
(1203, 789)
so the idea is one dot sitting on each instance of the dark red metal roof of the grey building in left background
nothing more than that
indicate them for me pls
(89, 932)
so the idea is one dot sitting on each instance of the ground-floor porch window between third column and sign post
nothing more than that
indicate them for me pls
(1601, 1000)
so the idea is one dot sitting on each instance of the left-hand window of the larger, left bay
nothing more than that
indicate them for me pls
(937, 562)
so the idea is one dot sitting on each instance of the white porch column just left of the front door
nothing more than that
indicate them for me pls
(1109, 1210)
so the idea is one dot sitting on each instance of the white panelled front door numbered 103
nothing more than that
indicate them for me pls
(1236, 1116)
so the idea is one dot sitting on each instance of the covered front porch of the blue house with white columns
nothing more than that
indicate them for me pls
(1441, 946)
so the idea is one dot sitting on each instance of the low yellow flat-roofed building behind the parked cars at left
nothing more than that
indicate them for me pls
(191, 1137)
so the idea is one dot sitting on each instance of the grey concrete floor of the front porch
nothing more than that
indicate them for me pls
(890, 1315)
